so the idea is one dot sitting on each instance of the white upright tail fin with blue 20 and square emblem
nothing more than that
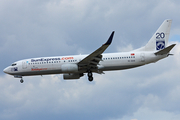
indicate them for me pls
(160, 38)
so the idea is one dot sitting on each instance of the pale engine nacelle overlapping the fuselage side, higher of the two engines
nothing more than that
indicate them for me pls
(69, 68)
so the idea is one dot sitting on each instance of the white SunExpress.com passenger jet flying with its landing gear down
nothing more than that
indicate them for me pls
(75, 66)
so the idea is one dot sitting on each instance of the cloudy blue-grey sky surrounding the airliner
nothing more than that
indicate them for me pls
(35, 28)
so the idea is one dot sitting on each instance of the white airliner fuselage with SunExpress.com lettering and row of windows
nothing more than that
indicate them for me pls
(53, 65)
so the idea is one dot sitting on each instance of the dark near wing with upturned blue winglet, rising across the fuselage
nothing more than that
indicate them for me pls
(92, 60)
